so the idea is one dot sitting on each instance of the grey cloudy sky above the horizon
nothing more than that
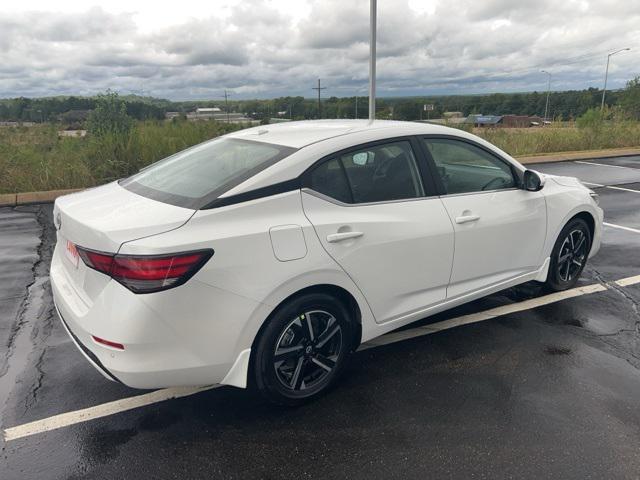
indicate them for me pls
(190, 49)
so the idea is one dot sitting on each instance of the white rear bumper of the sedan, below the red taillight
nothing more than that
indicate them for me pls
(186, 336)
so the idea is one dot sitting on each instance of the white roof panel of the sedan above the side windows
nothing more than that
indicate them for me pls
(303, 133)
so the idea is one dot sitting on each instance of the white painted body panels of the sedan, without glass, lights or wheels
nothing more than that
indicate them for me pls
(412, 260)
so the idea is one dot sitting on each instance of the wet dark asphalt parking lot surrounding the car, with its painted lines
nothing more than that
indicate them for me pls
(543, 386)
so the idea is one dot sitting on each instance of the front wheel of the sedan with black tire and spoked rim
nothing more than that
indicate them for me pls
(569, 255)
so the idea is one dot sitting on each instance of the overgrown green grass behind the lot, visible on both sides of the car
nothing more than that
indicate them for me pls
(34, 158)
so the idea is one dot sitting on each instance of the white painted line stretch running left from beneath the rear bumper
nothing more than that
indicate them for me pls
(99, 411)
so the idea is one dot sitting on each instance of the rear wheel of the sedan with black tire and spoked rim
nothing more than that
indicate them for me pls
(303, 349)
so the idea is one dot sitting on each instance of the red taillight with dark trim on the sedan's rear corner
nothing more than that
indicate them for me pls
(146, 273)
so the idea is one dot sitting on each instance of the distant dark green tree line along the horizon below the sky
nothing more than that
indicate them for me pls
(565, 105)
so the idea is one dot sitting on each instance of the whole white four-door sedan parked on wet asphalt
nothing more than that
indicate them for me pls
(266, 256)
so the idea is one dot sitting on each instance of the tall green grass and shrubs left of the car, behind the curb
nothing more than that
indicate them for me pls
(34, 158)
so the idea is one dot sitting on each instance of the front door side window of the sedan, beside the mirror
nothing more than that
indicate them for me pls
(465, 168)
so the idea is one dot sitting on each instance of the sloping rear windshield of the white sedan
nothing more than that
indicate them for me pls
(196, 176)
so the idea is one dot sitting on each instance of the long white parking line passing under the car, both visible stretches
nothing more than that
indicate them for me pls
(118, 406)
